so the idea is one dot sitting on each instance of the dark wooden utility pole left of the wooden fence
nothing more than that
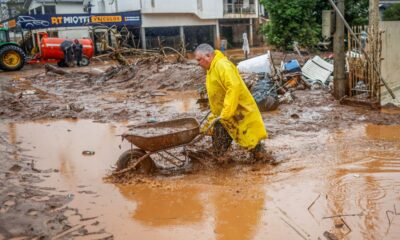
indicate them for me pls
(339, 78)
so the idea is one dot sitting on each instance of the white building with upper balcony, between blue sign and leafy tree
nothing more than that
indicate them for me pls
(198, 21)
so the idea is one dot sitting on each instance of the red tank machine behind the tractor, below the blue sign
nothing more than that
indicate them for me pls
(50, 50)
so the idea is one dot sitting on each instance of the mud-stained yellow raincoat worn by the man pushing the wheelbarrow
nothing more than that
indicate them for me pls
(230, 99)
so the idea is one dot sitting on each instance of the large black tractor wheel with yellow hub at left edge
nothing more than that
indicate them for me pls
(12, 58)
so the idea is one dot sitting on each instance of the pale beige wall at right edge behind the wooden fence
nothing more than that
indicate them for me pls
(390, 65)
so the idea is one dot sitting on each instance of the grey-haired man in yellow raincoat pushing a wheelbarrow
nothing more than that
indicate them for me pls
(231, 102)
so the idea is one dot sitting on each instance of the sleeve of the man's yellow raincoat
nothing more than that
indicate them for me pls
(231, 82)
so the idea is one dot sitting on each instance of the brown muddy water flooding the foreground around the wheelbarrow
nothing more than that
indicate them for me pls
(346, 182)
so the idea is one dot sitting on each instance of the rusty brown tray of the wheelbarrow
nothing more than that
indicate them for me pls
(162, 135)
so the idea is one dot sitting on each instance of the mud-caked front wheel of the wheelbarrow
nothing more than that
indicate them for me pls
(131, 156)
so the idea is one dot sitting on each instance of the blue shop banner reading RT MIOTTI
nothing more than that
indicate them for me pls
(78, 20)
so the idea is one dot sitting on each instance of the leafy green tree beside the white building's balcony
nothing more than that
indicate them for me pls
(291, 20)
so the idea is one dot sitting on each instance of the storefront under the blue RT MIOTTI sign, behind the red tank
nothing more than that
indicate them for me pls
(72, 26)
